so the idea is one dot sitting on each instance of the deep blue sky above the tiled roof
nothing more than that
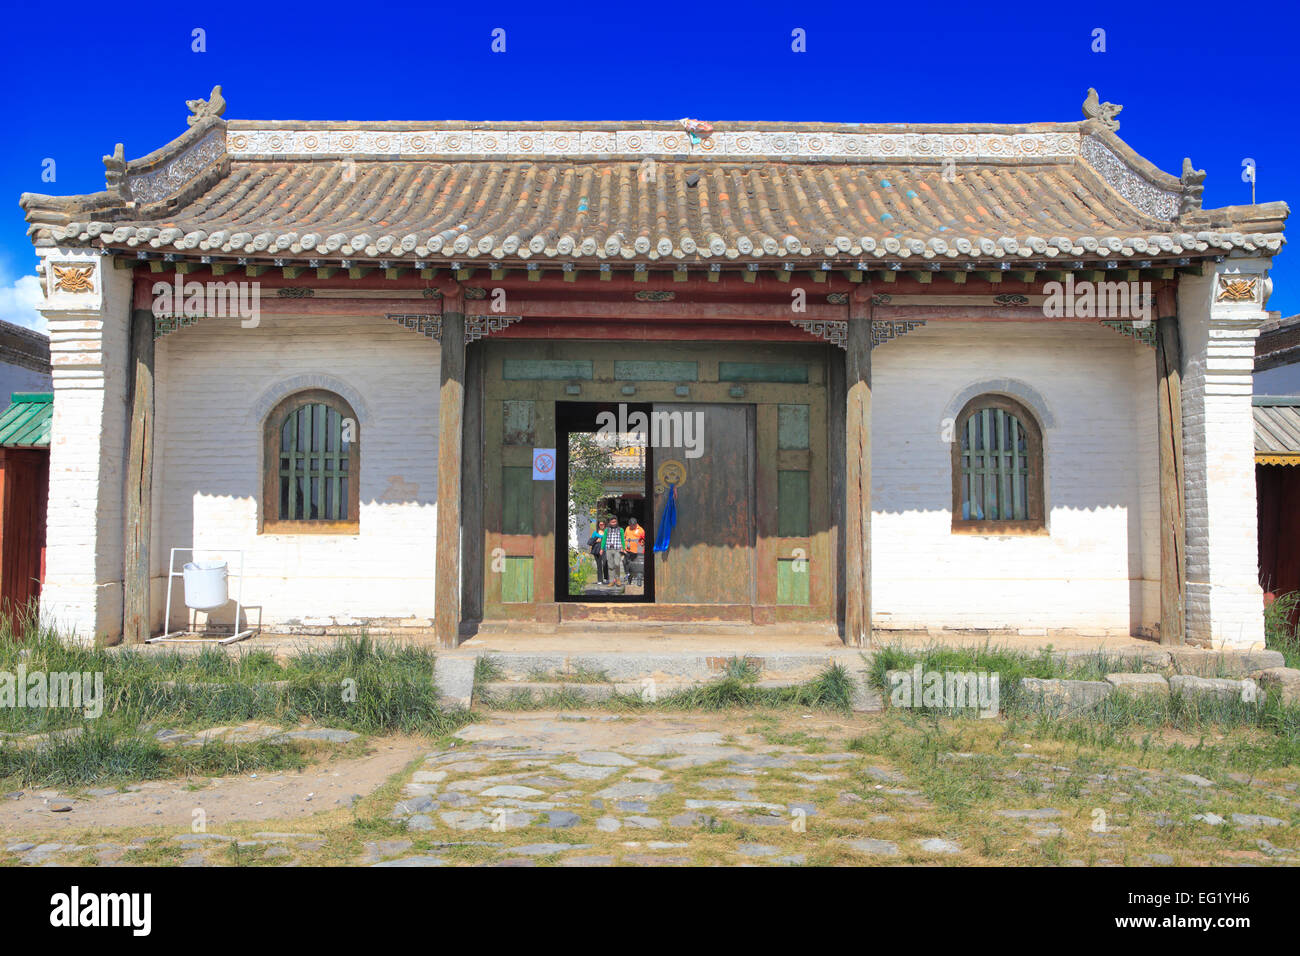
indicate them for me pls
(1215, 83)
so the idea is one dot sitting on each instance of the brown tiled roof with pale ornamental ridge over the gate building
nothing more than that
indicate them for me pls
(590, 193)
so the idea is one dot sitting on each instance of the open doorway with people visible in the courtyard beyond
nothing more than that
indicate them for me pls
(605, 496)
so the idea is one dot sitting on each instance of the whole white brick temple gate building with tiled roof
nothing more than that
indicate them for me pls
(978, 379)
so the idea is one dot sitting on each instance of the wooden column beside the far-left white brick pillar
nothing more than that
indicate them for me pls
(137, 620)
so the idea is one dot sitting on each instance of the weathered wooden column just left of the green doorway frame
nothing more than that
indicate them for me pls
(447, 592)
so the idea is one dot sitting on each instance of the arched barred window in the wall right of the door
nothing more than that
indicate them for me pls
(998, 468)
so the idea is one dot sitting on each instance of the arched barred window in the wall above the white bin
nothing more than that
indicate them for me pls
(313, 464)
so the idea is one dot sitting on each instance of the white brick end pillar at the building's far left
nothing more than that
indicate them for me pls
(89, 345)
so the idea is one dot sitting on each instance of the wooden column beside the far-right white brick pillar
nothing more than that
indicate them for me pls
(1173, 512)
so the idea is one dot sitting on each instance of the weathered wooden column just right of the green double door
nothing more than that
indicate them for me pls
(857, 485)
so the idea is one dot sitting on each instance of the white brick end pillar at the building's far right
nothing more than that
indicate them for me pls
(1225, 603)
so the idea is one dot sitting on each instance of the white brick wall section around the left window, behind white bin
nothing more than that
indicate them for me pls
(215, 384)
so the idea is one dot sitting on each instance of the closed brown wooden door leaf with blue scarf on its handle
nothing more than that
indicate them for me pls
(712, 556)
